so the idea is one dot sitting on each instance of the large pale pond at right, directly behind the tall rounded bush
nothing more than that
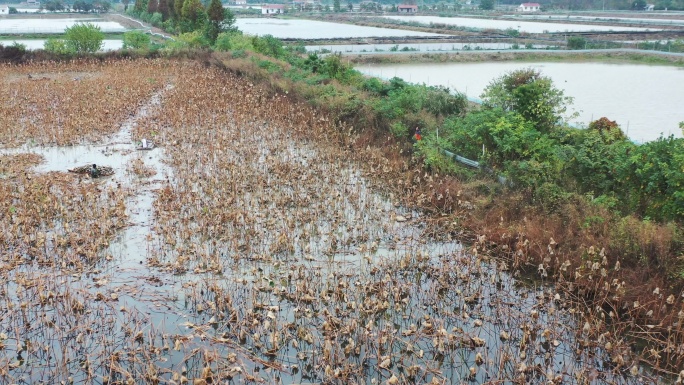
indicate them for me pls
(643, 99)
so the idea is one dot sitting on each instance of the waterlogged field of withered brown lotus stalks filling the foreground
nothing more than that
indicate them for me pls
(249, 246)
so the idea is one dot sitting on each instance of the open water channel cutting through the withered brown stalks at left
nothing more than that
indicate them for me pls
(126, 275)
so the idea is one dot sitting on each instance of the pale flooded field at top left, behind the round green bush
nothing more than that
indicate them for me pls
(14, 26)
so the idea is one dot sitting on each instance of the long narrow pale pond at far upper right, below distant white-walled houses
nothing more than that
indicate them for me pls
(521, 26)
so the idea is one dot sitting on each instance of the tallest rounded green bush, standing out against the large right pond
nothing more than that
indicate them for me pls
(530, 94)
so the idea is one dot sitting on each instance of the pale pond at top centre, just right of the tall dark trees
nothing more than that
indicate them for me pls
(309, 29)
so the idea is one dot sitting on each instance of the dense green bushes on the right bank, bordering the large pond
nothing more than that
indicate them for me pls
(517, 134)
